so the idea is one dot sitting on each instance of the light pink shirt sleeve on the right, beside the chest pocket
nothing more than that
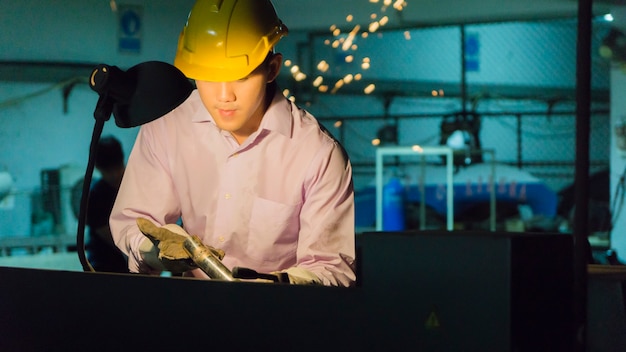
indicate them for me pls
(326, 244)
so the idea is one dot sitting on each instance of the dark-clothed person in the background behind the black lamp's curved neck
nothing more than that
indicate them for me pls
(102, 253)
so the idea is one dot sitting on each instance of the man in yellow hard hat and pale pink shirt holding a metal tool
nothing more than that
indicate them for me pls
(237, 163)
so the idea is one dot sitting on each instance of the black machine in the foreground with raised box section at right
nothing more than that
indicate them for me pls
(416, 291)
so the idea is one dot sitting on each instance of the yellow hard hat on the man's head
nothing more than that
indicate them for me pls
(225, 40)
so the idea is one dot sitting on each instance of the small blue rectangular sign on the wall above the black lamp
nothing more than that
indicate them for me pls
(129, 28)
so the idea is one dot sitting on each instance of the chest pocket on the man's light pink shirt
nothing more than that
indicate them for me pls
(274, 228)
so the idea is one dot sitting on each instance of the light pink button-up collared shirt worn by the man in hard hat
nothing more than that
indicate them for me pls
(283, 198)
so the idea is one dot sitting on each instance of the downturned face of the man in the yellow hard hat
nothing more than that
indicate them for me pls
(239, 106)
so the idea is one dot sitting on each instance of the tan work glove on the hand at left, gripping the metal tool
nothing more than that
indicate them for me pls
(163, 248)
